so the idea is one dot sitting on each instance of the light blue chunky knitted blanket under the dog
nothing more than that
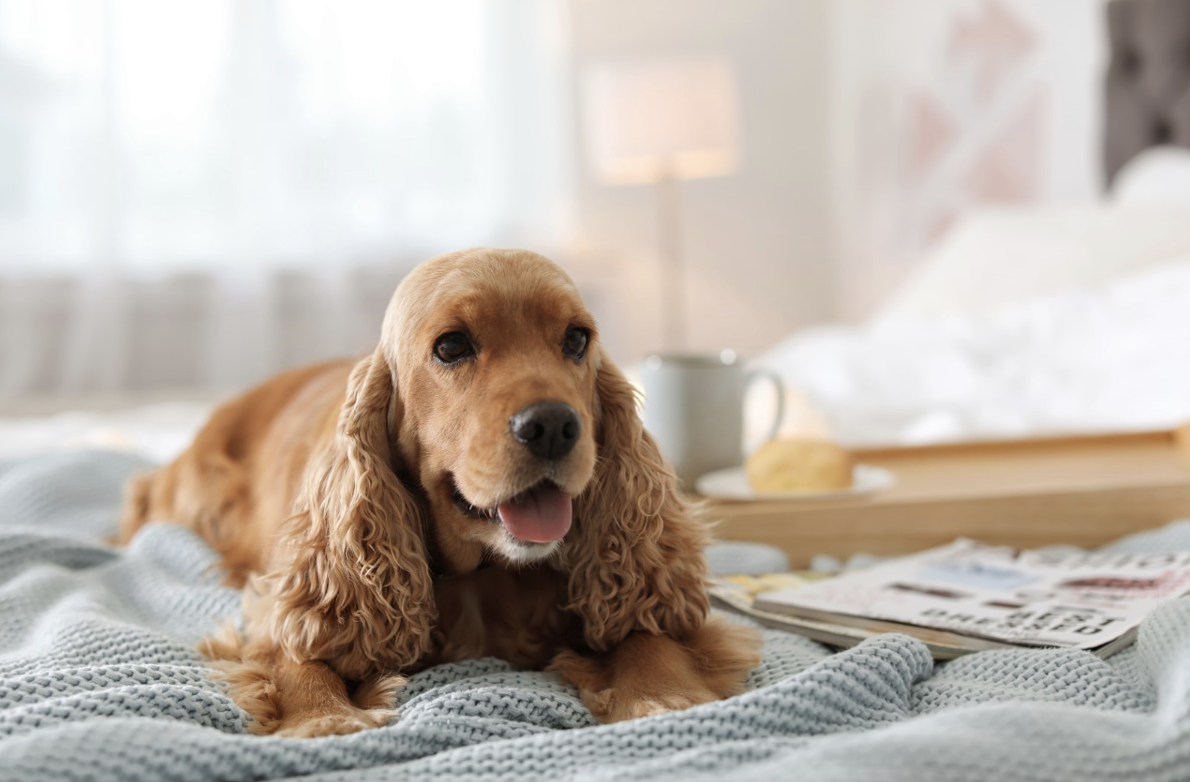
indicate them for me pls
(99, 681)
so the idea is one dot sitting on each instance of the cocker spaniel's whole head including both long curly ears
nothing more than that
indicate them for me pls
(488, 420)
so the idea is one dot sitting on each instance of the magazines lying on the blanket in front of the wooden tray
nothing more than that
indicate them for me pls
(970, 597)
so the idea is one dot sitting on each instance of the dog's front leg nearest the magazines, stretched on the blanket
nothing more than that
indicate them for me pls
(650, 674)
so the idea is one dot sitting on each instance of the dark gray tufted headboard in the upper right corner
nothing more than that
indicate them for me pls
(1149, 79)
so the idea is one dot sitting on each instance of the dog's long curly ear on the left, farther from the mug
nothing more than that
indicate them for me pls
(356, 591)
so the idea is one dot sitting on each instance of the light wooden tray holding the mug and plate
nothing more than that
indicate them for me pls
(1079, 491)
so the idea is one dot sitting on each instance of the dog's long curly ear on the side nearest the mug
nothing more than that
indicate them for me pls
(637, 561)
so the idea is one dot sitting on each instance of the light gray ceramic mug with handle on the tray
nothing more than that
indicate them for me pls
(694, 409)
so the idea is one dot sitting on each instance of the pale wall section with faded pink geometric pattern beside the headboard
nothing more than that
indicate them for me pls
(940, 107)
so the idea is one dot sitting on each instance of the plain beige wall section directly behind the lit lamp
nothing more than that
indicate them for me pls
(757, 243)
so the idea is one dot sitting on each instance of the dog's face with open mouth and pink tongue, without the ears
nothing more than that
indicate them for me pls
(496, 364)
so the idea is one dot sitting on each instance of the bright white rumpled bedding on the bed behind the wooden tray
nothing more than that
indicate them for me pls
(1095, 358)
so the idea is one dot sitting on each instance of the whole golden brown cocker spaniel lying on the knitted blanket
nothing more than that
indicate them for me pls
(480, 485)
